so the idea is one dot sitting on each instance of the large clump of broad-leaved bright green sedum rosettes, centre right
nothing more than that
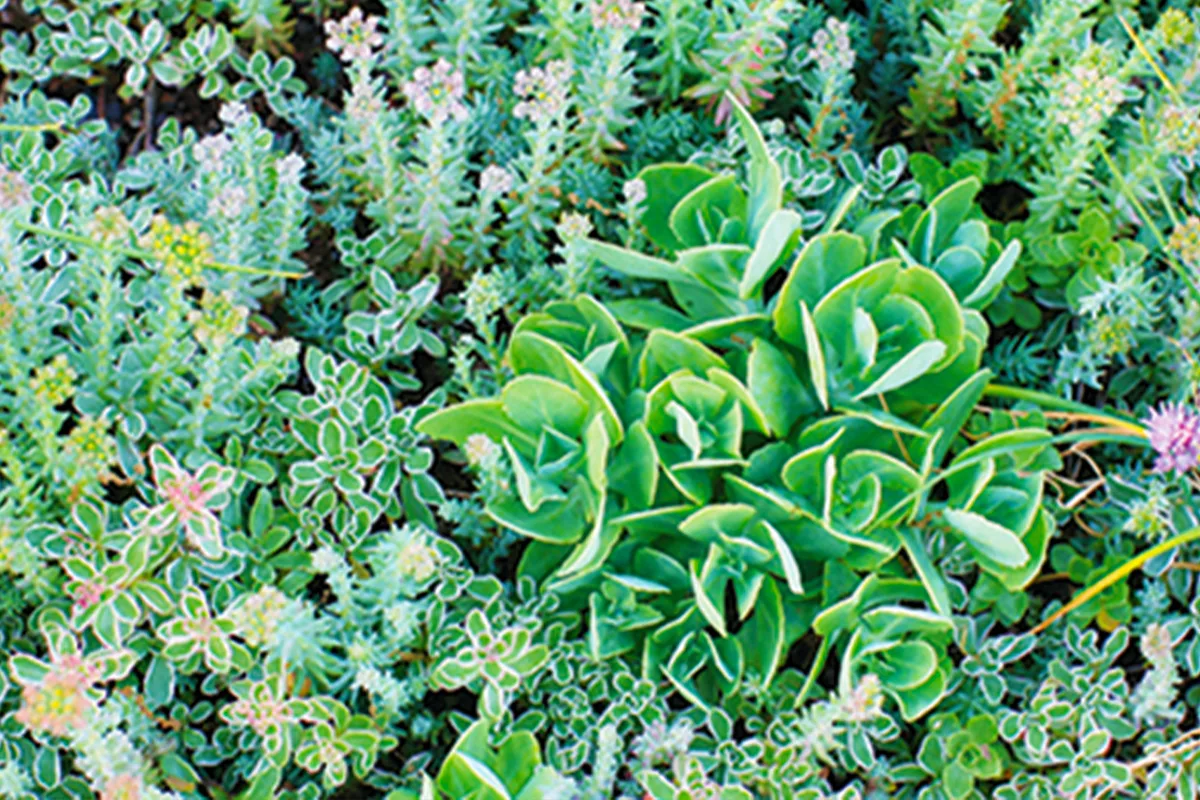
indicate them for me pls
(771, 444)
